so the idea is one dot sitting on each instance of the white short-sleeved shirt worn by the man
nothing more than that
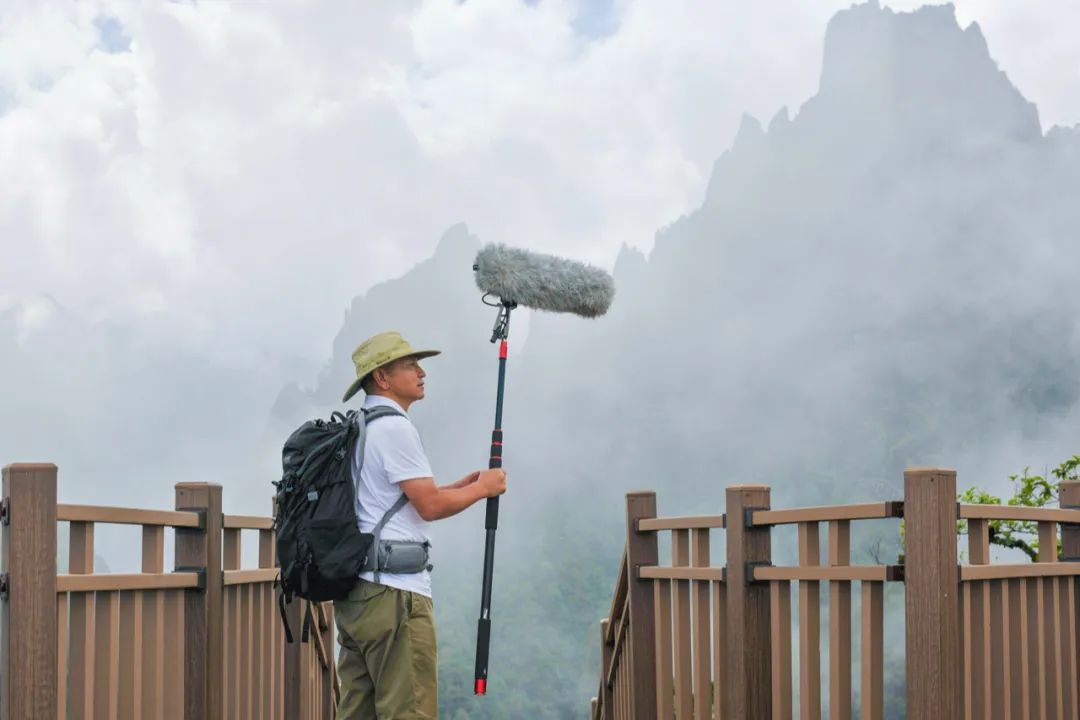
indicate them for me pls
(393, 454)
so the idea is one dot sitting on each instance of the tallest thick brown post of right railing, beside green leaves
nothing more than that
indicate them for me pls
(933, 595)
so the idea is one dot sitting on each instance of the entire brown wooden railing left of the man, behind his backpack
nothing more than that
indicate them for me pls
(204, 641)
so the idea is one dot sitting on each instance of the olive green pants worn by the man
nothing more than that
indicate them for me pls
(388, 664)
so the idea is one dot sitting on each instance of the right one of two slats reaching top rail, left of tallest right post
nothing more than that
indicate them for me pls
(840, 624)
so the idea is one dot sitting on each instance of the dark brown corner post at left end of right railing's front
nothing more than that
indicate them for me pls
(642, 551)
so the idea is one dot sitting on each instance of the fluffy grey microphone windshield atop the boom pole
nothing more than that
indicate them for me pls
(544, 282)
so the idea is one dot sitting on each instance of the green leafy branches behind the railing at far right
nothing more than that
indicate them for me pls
(1029, 492)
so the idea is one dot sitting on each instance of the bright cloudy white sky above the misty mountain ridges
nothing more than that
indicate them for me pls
(227, 176)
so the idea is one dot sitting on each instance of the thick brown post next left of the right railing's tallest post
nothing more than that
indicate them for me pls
(750, 642)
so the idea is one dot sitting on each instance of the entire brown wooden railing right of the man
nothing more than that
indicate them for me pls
(714, 642)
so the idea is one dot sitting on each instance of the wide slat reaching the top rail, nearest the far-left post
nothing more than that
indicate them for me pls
(82, 663)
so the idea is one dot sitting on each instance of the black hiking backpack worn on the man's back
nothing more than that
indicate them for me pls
(321, 551)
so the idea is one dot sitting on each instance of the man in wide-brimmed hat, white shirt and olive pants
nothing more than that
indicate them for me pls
(388, 662)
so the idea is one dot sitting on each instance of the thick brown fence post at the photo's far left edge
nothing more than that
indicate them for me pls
(29, 605)
